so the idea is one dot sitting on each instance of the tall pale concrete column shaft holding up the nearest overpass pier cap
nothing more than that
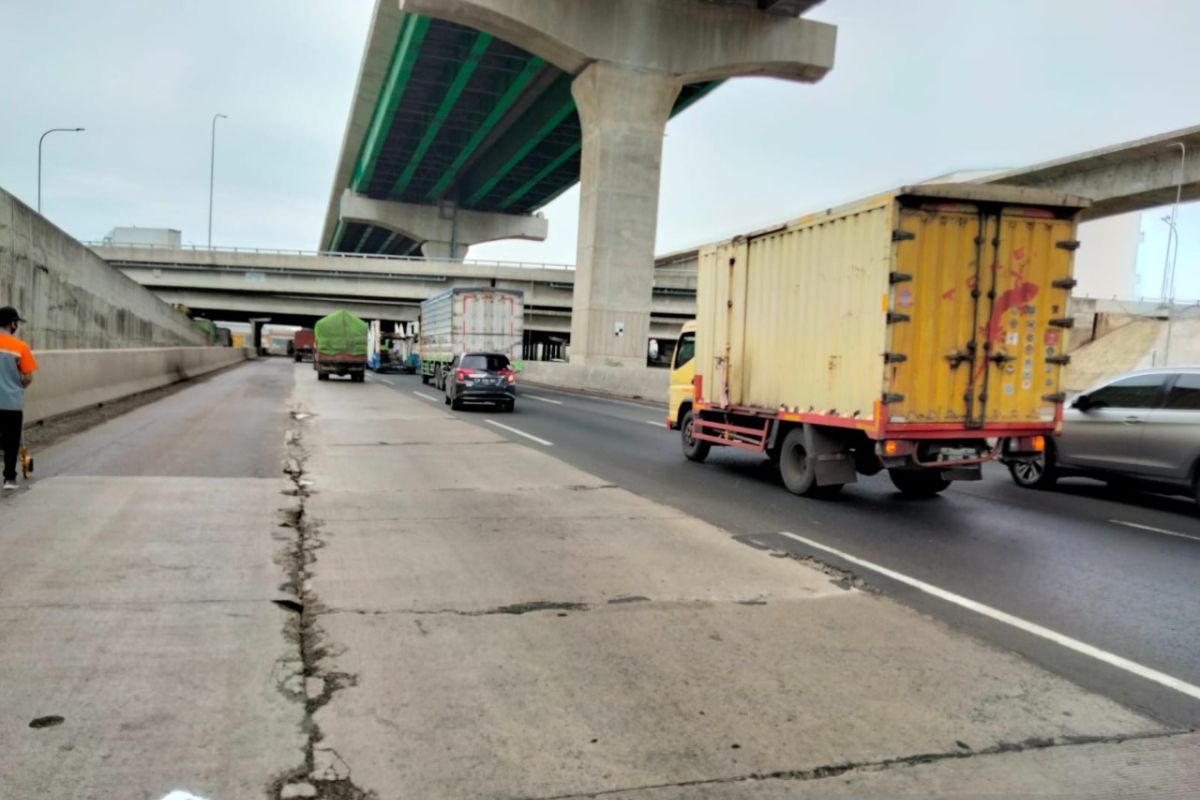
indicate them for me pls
(623, 112)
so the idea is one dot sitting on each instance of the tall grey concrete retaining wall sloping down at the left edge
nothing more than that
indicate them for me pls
(73, 298)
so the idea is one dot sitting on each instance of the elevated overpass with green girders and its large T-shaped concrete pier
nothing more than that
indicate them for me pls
(471, 115)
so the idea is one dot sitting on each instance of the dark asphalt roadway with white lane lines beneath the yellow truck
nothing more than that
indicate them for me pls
(1108, 572)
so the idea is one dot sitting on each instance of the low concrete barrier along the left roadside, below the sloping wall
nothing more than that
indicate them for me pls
(70, 381)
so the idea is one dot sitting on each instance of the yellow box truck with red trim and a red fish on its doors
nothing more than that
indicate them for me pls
(922, 332)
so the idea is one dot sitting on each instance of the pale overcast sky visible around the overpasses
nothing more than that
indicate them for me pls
(921, 88)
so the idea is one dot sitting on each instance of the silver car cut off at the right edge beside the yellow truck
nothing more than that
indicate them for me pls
(1139, 430)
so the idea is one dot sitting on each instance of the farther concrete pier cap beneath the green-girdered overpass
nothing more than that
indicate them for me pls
(446, 230)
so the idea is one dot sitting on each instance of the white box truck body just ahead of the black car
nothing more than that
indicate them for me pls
(470, 321)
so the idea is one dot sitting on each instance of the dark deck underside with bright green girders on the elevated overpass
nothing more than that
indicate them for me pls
(466, 118)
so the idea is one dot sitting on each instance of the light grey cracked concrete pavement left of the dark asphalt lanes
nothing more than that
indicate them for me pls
(271, 587)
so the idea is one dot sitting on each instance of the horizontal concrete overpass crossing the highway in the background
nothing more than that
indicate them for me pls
(299, 288)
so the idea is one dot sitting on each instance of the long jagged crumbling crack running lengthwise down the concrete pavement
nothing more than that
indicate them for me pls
(325, 775)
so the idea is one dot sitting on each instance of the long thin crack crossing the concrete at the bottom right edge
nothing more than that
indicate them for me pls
(833, 771)
